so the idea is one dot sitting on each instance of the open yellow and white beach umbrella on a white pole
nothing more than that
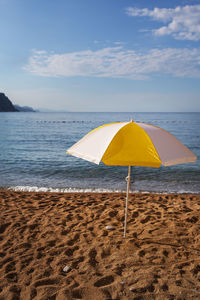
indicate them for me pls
(131, 144)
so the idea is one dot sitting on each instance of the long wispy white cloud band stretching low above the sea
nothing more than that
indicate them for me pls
(117, 62)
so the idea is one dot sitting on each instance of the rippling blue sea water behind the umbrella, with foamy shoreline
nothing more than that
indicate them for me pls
(33, 153)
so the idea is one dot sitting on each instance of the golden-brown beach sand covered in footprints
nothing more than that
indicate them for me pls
(58, 246)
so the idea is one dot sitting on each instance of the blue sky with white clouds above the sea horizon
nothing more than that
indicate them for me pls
(101, 55)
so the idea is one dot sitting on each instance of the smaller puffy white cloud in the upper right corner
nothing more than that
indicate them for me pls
(183, 22)
